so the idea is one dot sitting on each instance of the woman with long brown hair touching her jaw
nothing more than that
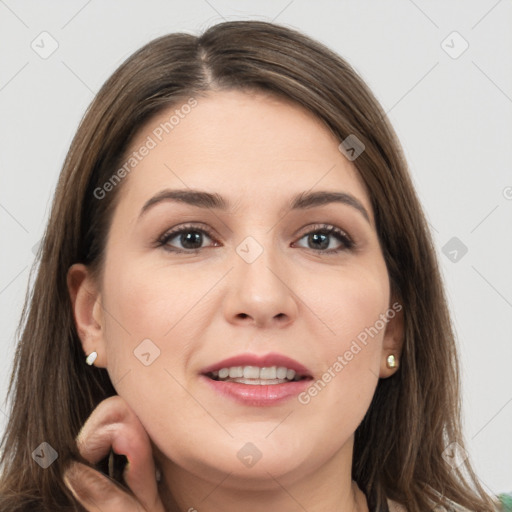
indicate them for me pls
(236, 251)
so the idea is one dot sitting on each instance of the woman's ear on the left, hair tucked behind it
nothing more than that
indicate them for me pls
(87, 311)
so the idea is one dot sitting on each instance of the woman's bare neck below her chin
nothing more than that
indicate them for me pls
(326, 488)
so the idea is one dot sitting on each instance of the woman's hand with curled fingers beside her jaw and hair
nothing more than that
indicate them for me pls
(113, 425)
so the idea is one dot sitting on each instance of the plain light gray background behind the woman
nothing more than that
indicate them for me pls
(452, 113)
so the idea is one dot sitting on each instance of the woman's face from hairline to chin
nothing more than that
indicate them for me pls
(253, 276)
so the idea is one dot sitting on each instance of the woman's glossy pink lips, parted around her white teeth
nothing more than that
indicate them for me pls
(256, 394)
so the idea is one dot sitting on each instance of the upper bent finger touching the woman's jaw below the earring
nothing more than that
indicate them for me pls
(113, 424)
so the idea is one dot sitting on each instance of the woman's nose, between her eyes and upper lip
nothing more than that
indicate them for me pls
(260, 292)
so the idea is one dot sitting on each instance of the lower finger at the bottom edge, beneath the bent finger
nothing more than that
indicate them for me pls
(96, 493)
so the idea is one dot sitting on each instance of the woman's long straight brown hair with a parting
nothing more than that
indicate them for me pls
(414, 415)
